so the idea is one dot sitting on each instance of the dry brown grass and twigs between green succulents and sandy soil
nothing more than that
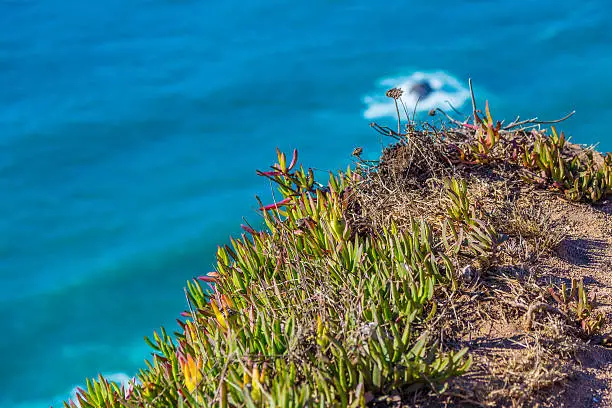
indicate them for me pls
(524, 345)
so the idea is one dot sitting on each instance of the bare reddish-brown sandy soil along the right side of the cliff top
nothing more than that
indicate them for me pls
(509, 363)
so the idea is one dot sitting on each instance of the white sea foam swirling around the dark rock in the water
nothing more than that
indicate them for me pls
(445, 90)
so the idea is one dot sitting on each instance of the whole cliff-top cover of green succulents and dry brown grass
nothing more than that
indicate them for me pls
(419, 279)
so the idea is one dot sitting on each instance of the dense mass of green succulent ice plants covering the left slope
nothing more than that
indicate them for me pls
(306, 312)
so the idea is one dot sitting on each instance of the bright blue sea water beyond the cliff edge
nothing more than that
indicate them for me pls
(130, 133)
